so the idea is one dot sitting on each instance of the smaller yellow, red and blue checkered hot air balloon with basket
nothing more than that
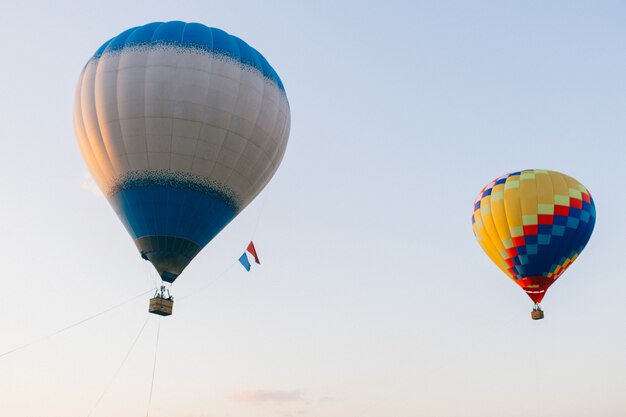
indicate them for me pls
(533, 224)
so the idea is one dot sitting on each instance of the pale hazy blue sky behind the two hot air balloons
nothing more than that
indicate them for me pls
(373, 299)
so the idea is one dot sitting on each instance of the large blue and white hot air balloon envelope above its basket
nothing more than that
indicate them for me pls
(181, 126)
